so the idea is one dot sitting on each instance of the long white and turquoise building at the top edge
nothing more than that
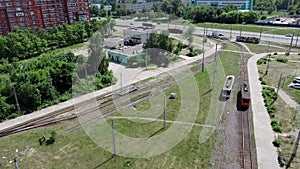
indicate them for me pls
(240, 4)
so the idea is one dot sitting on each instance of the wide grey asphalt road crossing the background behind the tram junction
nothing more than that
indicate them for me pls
(199, 31)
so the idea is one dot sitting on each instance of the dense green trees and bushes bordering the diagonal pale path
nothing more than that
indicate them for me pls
(30, 85)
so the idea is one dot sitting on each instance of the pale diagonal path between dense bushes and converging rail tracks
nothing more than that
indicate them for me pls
(128, 76)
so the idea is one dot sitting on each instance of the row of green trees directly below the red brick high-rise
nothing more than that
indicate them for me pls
(22, 44)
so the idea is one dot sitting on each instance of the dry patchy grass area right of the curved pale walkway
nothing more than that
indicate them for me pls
(288, 118)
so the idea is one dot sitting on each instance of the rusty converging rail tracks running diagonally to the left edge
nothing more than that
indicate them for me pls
(105, 102)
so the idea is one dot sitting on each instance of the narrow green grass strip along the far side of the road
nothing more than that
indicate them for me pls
(249, 28)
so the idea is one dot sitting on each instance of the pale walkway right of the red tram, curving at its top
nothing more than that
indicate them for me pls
(266, 152)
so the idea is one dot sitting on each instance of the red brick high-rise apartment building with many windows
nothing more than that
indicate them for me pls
(41, 13)
